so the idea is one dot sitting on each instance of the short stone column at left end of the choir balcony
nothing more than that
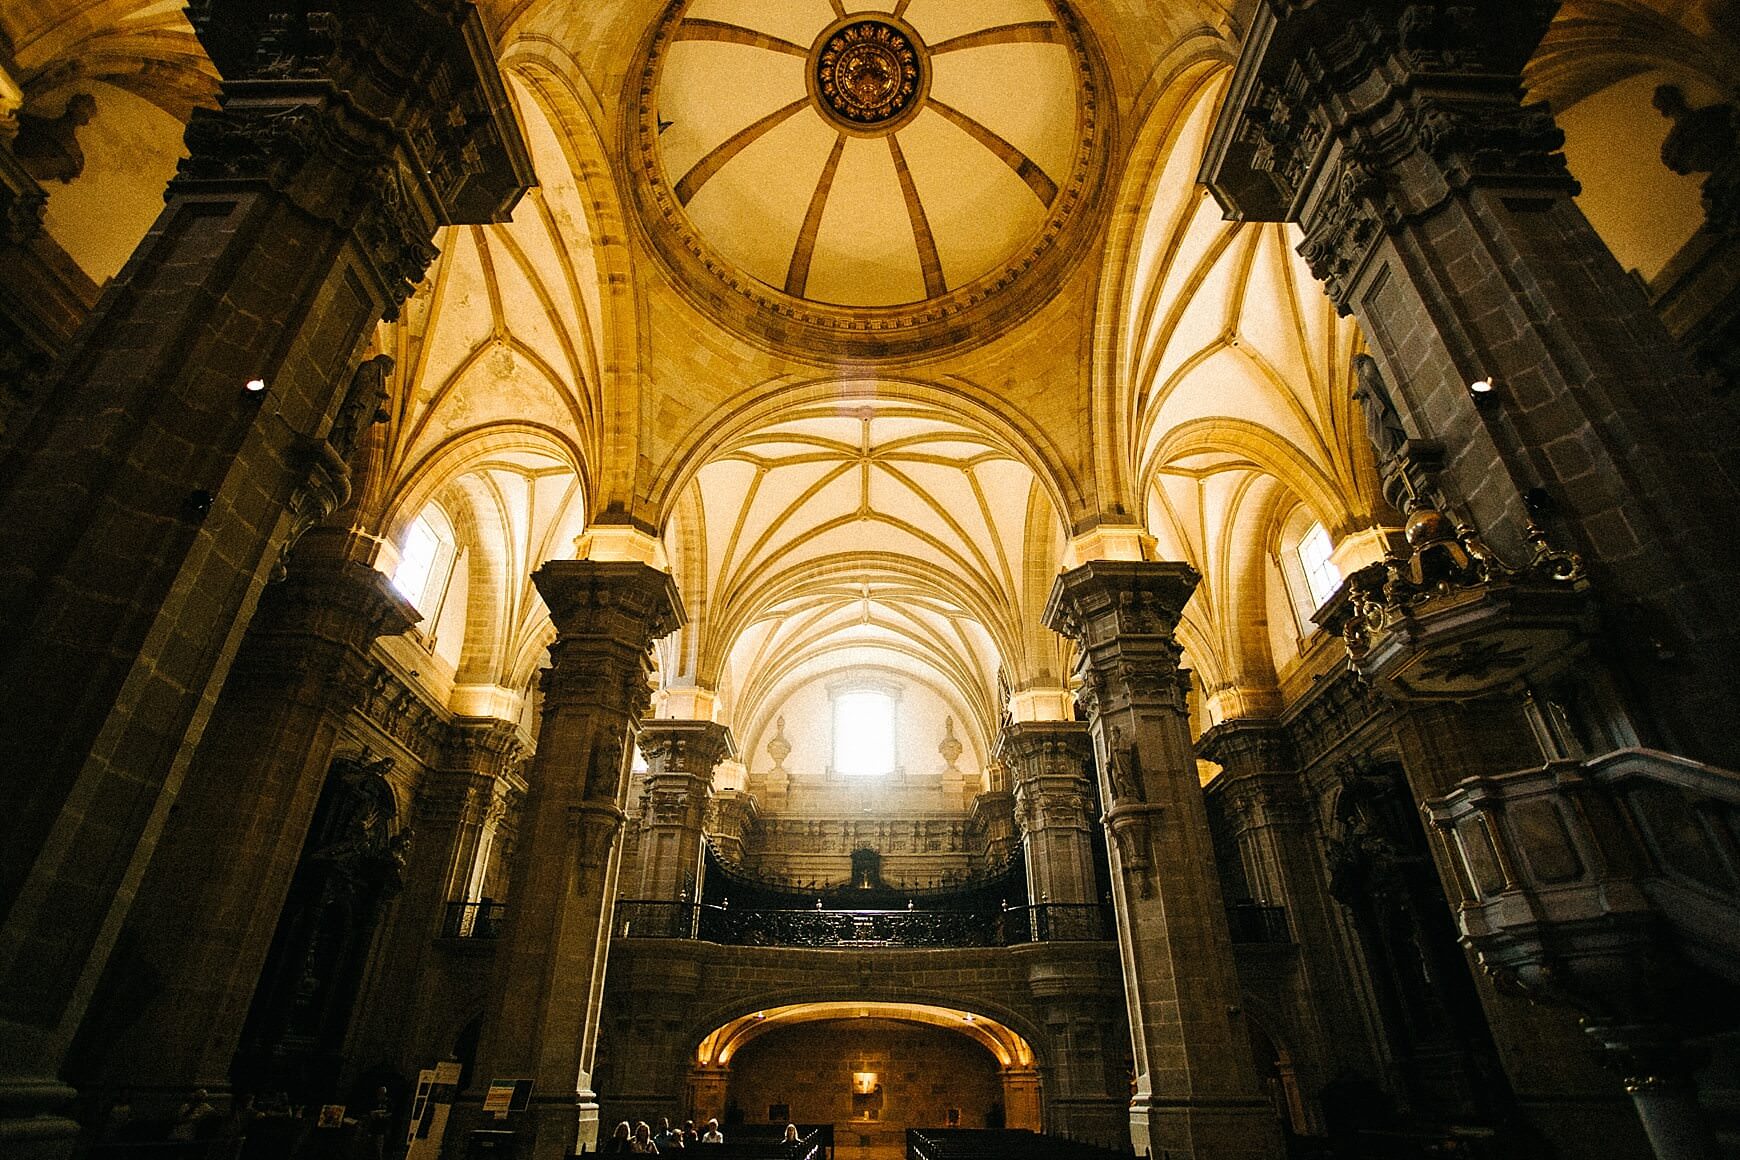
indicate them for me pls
(679, 780)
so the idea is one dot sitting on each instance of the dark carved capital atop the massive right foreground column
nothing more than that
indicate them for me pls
(1355, 117)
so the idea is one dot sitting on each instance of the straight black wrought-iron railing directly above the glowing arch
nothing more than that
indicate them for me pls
(1048, 923)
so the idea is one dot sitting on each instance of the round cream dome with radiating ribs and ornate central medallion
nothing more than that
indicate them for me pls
(866, 164)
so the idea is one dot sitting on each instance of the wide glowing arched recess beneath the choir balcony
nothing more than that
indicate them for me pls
(871, 1070)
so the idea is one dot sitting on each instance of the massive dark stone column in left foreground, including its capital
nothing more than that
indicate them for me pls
(152, 495)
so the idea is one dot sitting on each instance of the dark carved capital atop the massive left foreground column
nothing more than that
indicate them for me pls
(387, 117)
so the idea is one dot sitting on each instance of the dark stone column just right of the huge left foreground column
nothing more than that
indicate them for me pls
(204, 916)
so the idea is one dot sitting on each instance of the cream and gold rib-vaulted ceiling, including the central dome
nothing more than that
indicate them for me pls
(702, 194)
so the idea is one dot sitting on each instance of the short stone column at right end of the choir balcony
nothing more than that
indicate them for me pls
(1048, 768)
